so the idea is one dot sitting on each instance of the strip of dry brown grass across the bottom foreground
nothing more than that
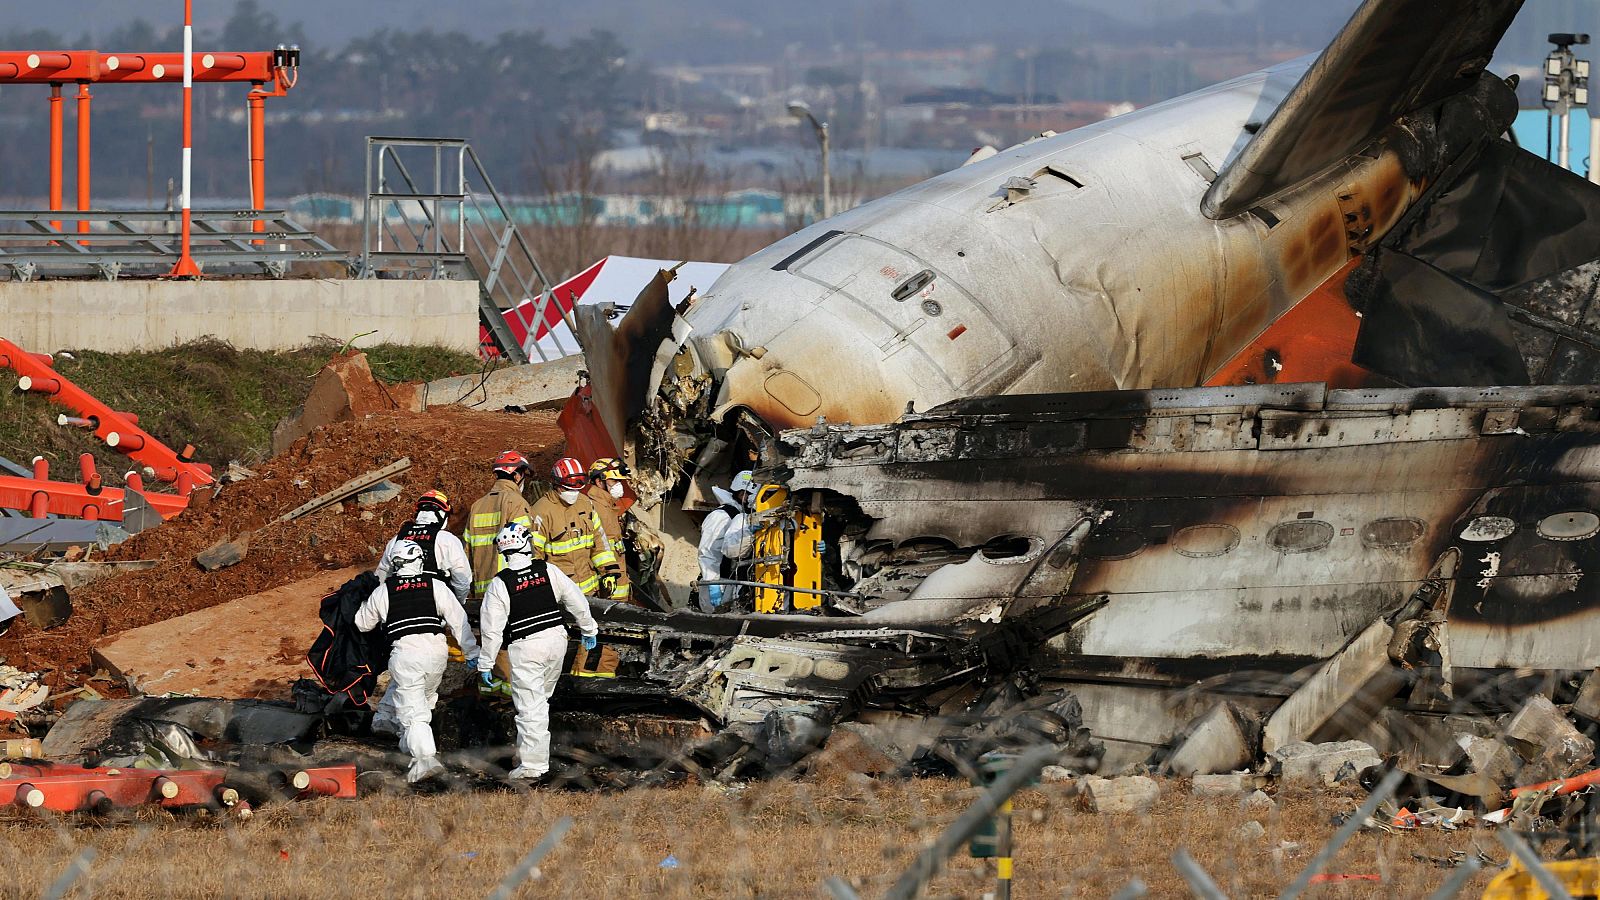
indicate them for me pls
(762, 840)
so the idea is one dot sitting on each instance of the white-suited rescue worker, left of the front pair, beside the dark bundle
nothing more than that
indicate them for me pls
(415, 609)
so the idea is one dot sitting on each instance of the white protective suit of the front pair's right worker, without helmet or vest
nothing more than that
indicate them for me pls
(535, 659)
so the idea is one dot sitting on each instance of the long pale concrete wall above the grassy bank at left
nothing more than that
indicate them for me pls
(250, 315)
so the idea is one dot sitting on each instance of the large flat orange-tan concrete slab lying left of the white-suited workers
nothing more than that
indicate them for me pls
(252, 648)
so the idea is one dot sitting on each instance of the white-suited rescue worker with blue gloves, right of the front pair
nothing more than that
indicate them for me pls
(522, 606)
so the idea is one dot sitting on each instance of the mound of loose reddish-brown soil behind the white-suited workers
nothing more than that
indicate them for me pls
(449, 448)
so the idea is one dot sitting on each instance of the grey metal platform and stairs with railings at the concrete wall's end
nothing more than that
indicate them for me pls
(449, 222)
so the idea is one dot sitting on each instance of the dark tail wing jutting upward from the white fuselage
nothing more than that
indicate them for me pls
(1393, 58)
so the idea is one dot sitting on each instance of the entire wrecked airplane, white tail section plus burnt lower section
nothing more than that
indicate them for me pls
(1062, 308)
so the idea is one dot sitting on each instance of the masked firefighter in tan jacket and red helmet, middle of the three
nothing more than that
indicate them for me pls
(567, 532)
